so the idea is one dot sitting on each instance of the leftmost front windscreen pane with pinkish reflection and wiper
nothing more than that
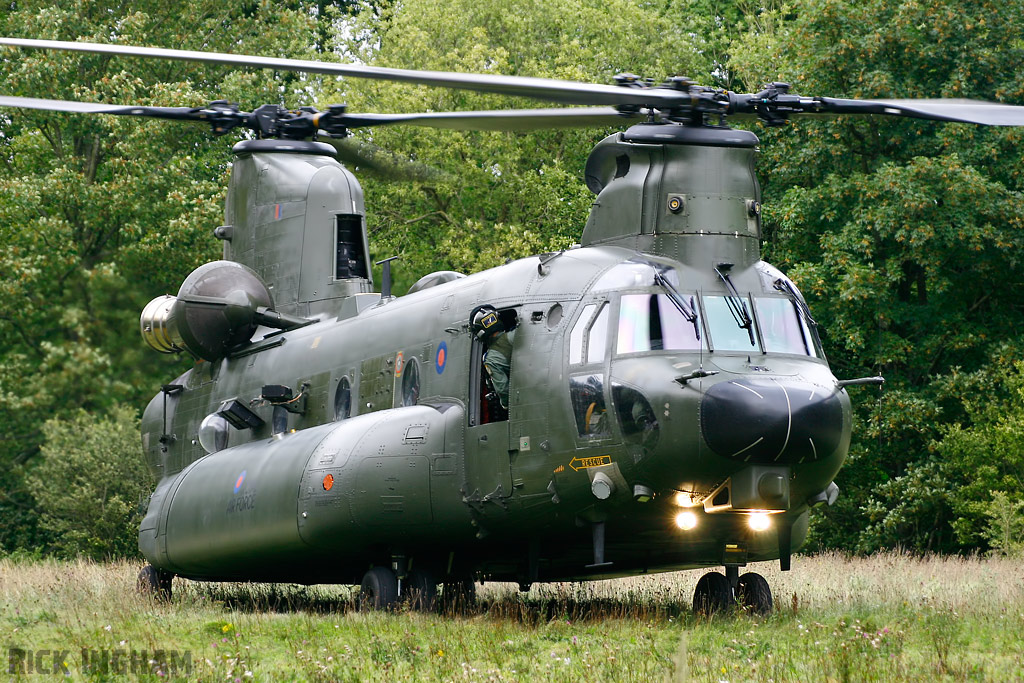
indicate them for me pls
(652, 323)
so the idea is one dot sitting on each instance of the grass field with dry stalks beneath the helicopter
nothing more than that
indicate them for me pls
(883, 618)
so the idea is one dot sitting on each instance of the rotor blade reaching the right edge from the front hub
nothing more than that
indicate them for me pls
(963, 111)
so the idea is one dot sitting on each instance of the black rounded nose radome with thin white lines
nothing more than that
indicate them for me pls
(772, 420)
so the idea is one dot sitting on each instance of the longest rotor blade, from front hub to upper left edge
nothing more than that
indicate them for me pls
(568, 93)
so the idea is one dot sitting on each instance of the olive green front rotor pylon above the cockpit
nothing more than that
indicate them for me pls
(686, 193)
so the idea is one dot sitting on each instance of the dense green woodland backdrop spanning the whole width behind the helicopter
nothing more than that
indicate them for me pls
(904, 235)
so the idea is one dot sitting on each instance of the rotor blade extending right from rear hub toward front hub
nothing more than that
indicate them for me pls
(509, 120)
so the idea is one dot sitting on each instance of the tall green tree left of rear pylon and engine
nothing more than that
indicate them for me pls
(101, 215)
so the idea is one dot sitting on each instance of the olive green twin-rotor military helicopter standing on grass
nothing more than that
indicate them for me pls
(668, 404)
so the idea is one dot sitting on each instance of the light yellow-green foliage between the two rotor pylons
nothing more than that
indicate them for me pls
(498, 195)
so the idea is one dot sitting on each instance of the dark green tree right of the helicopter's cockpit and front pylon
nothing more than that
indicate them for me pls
(905, 235)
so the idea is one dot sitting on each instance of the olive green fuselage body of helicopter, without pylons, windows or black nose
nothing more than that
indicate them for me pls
(428, 482)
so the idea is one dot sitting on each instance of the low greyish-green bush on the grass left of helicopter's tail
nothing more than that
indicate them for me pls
(90, 485)
